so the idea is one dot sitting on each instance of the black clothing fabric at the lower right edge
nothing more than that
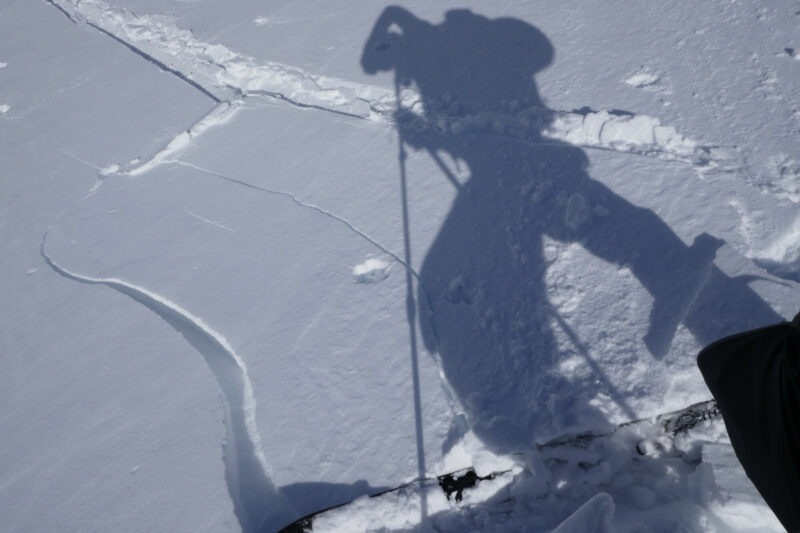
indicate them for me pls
(754, 378)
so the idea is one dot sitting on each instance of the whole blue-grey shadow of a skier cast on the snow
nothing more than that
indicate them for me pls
(484, 273)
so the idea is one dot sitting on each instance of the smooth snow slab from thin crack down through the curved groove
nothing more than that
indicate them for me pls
(315, 366)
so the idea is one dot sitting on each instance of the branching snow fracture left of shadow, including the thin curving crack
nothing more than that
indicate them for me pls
(230, 78)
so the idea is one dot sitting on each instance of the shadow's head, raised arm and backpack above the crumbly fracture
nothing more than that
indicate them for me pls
(469, 61)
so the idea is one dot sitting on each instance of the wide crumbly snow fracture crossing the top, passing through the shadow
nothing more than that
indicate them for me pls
(226, 75)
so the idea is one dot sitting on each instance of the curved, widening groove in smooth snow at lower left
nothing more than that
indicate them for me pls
(256, 500)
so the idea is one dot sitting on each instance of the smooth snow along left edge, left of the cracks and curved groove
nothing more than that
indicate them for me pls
(91, 399)
